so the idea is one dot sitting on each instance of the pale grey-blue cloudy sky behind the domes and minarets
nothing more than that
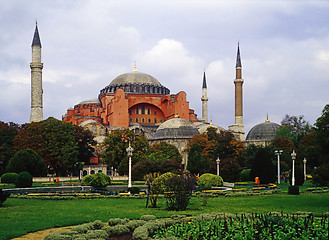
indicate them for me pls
(87, 43)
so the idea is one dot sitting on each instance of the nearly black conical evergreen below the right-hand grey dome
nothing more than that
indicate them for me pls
(262, 166)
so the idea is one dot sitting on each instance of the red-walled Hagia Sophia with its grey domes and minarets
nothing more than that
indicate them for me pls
(140, 102)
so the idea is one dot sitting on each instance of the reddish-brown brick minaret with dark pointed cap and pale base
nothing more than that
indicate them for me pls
(238, 127)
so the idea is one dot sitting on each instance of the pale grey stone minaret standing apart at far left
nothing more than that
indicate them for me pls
(36, 79)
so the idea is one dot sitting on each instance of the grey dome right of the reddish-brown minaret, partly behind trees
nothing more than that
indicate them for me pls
(263, 131)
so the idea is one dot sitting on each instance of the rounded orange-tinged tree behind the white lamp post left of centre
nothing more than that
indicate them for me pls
(115, 145)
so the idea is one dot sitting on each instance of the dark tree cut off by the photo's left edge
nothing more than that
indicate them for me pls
(8, 131)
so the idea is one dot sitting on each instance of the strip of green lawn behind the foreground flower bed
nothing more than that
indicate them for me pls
(21, 216)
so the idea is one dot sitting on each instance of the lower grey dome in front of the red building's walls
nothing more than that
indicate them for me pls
(175, 128)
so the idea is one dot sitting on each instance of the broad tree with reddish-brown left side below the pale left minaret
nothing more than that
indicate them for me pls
(59, 143)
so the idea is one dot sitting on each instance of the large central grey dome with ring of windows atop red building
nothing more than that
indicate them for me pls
(136, 82)
